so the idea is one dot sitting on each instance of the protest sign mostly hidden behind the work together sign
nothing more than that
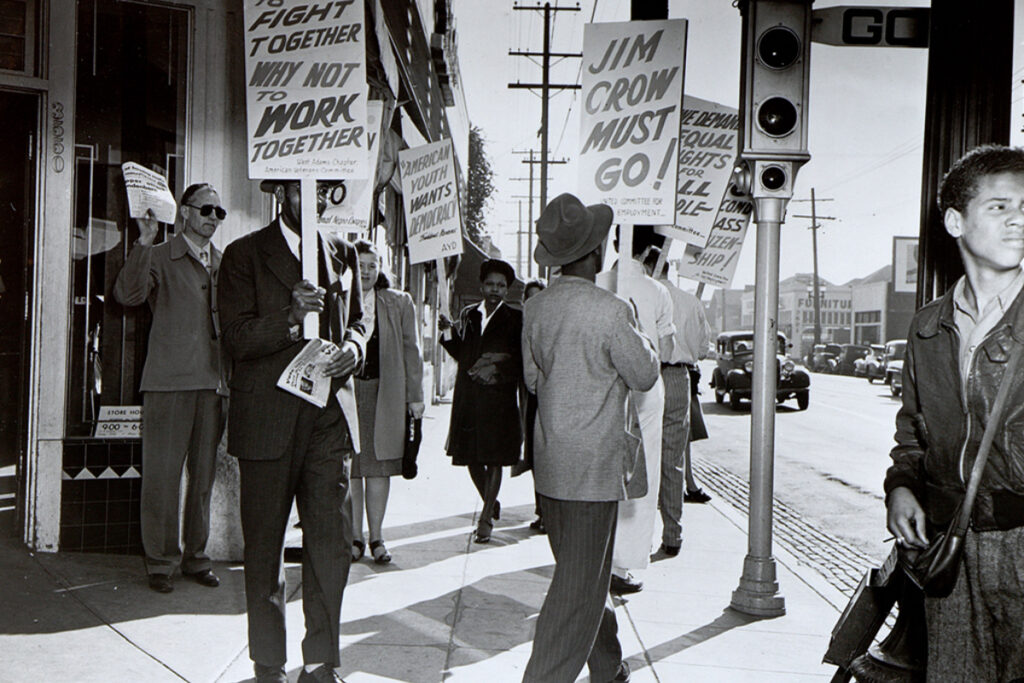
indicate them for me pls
(350, 204)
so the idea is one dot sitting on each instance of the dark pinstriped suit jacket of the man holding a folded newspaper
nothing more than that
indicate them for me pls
(258, 274)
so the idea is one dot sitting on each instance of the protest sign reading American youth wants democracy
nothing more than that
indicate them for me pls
(431, 196)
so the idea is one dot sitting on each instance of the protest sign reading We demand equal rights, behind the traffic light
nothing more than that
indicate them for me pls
(709, 142)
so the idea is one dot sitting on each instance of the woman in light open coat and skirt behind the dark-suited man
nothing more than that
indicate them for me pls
(389, 390)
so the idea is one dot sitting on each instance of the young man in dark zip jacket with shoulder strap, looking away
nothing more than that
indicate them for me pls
(958, 350)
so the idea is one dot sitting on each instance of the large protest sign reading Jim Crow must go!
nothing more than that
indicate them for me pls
(632, 96)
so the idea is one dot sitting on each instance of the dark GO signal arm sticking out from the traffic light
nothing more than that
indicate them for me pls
(872, 27)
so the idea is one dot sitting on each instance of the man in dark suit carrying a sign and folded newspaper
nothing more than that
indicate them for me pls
(288, 448)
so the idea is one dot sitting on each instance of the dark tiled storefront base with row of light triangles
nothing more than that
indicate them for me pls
(100, 496)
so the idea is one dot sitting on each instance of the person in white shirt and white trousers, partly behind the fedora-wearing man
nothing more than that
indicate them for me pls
(636, 518)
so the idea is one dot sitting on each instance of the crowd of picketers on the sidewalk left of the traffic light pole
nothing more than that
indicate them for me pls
(590, 391)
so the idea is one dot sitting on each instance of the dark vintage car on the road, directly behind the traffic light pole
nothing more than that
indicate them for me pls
(735, 371)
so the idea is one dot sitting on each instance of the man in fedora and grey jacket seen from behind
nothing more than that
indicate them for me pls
(582, 356)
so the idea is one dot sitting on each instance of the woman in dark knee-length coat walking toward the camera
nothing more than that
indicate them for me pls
(486, 433)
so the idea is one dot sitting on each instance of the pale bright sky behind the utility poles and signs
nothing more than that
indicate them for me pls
(867, 114)
